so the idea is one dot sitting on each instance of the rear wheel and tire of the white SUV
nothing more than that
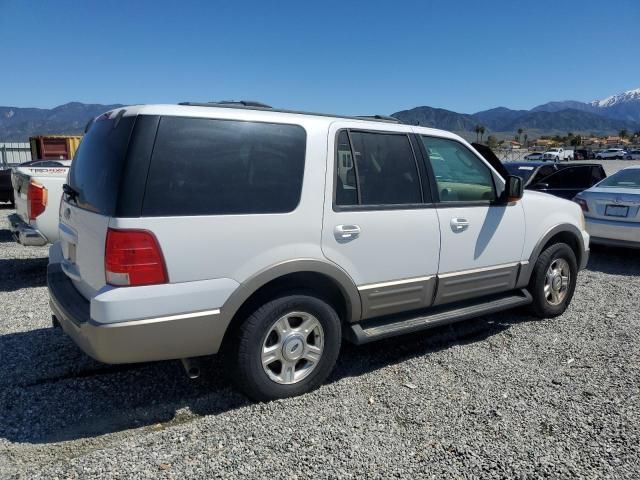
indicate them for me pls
(287, 347)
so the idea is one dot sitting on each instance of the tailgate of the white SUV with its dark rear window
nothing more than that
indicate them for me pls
(95, 175)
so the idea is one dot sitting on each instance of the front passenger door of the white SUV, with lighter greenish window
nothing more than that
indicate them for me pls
(481, 240)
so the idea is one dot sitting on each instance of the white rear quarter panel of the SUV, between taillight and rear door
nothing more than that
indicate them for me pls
(239, 246)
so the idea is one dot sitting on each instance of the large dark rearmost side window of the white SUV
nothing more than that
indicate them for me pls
(217, 167)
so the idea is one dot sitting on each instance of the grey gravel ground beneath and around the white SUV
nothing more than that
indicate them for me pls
(500, 396)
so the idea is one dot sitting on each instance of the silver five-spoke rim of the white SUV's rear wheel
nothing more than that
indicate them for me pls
(292, 348)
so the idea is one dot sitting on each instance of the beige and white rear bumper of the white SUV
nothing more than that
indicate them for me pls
(159, 338)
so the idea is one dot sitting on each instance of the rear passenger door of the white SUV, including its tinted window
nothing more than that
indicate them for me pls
(379, 223)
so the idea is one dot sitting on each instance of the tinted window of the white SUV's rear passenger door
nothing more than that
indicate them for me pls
(385, 169)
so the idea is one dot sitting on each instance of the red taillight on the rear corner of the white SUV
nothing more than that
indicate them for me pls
(133, 257)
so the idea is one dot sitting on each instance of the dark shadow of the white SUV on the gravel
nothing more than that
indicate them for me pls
(52, 392)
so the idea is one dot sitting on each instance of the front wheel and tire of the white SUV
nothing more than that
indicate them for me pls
(553, 281)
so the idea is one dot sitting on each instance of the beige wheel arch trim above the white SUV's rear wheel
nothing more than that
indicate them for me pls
(333, 272)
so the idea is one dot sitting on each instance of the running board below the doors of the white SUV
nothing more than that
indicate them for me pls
(390, 326)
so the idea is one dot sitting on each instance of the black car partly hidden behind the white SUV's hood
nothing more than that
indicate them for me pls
(561, 180)
